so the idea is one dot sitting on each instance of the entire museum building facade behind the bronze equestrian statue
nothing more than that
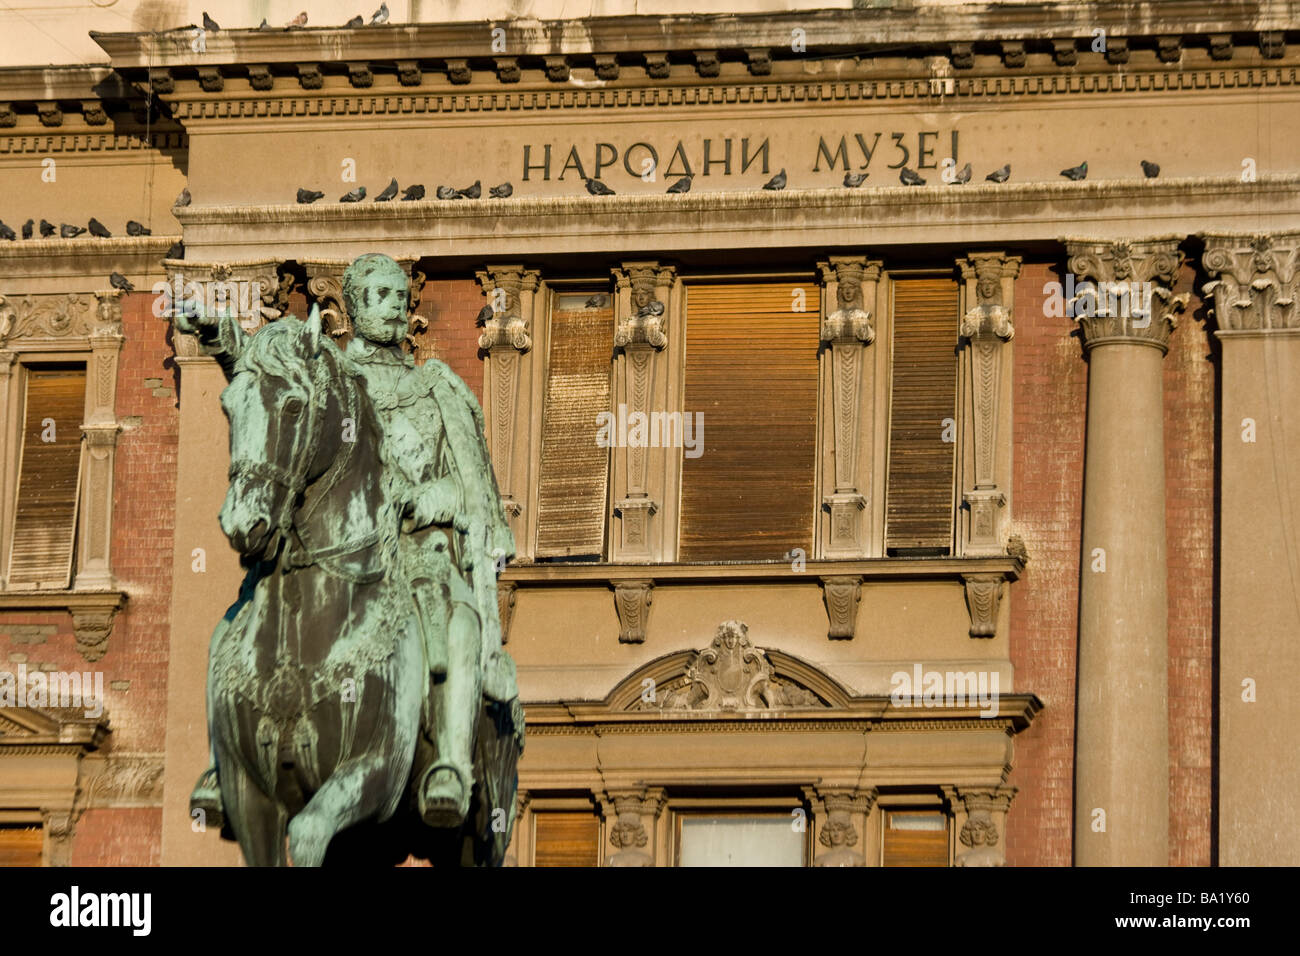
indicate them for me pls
(896, 412)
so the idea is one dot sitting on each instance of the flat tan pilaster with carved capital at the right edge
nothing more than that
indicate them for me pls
(1256, 289)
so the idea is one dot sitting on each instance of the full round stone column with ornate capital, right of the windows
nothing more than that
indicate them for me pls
(1123, 750)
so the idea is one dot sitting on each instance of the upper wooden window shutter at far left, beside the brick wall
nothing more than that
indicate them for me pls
(45, 525)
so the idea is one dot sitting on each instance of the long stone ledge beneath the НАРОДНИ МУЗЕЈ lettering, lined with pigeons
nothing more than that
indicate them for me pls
(651, 223)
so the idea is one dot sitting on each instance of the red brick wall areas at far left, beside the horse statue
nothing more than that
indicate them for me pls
(135, 665)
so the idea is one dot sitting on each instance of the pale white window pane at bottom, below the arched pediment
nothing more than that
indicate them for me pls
(740, 841)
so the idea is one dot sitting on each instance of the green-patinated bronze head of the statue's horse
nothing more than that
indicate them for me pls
(284, 430)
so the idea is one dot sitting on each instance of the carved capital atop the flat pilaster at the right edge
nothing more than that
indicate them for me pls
(1255, 282)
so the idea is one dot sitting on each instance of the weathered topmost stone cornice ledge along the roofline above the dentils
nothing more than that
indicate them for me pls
(883, 27)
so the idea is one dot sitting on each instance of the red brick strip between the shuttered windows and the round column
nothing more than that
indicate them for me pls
(1047, 483)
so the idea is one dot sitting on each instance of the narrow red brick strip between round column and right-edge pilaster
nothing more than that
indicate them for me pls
(1190, 458)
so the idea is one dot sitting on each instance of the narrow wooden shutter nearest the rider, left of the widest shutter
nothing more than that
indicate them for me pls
(574, 478)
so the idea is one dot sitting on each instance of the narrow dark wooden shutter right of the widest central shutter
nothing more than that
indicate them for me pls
(920, 501)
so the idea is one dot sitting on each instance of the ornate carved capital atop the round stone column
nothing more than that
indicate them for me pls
(1121, 291)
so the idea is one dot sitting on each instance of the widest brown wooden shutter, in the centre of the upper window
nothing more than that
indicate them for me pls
(752, 371)
